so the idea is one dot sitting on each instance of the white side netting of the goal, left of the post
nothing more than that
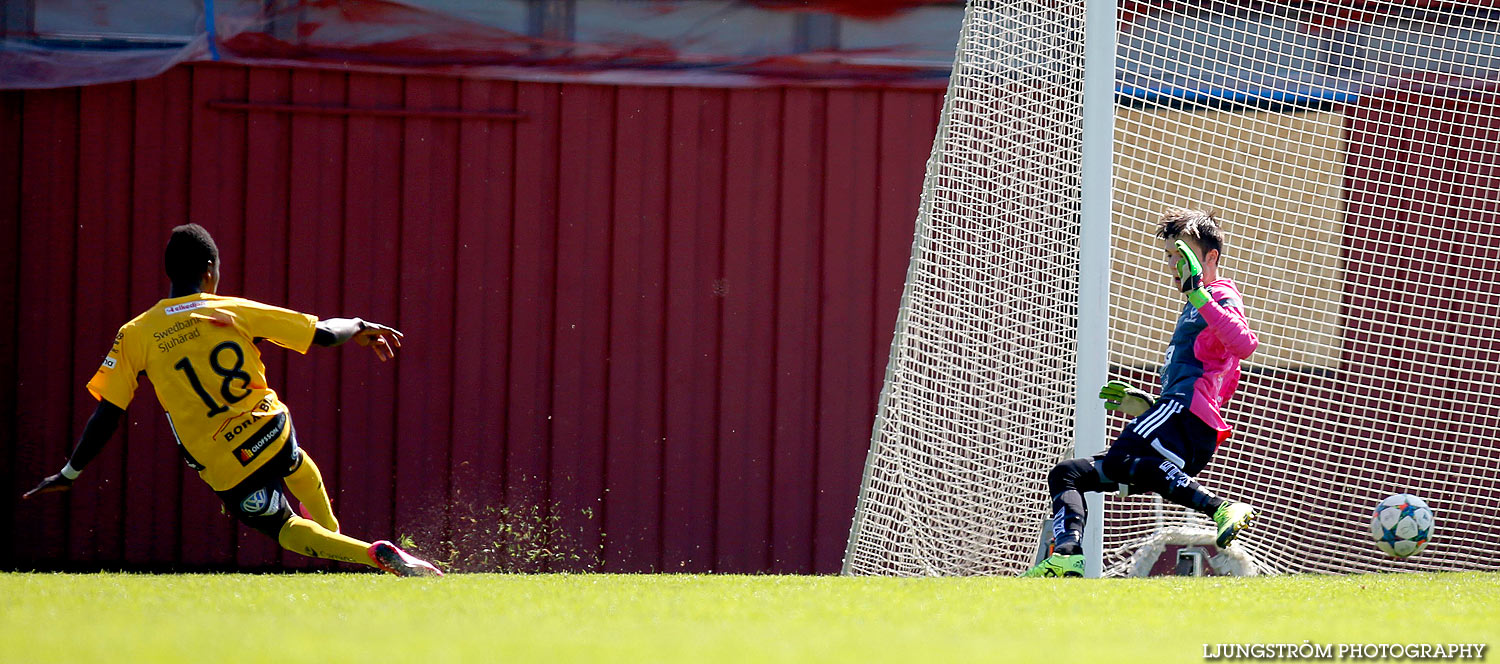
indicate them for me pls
(979, 390)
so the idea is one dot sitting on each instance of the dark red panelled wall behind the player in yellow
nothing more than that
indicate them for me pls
(652, 320)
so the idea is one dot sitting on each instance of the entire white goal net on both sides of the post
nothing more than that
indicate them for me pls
(1352, 152)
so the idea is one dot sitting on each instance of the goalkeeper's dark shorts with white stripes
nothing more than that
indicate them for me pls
(1168, 431)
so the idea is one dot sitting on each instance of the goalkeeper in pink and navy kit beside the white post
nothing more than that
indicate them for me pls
(1174, 437)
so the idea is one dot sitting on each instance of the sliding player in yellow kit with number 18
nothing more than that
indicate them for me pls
(199, 350)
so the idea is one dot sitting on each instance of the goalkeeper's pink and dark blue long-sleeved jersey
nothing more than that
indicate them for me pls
(1202, 365)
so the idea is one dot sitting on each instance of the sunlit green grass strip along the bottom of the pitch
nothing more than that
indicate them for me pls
(368, 618)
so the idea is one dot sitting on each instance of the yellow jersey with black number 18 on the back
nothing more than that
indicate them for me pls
(200, 354)
